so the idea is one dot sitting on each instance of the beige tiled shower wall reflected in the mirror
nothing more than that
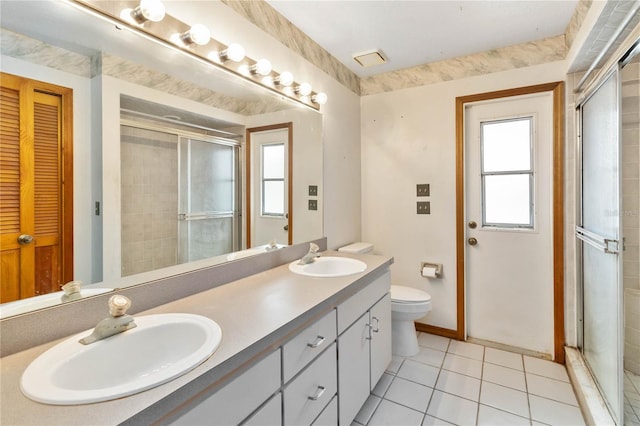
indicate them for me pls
(149, 163)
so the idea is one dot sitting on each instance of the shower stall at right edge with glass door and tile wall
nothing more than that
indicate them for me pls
(608, 235)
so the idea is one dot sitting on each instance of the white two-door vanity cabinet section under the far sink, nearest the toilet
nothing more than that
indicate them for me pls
(364, 347)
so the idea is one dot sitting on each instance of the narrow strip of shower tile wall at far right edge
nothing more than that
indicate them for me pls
(631, 213)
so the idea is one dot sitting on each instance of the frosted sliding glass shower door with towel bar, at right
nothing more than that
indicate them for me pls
(598, 233)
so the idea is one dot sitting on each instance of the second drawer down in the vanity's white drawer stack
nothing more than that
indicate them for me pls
(307, 395)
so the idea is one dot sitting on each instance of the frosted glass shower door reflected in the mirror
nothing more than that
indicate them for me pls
(208, 199)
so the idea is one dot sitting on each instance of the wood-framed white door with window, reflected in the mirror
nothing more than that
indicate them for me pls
(269, 206)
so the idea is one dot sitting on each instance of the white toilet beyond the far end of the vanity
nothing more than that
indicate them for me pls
(407, 305)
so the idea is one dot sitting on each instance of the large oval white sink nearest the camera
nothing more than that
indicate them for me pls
(161, 348)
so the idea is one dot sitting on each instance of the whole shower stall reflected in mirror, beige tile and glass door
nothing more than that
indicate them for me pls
(180, 195)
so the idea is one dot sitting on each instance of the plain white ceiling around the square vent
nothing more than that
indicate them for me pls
(411, 33)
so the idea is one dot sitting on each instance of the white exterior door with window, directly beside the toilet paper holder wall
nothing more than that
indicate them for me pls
(509, 235)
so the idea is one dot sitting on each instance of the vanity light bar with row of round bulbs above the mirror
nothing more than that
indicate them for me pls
(195, 40)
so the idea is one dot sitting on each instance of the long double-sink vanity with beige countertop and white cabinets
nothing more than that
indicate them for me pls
(296, 347)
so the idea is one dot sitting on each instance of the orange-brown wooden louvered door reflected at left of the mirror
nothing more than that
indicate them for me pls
(36, 188)
